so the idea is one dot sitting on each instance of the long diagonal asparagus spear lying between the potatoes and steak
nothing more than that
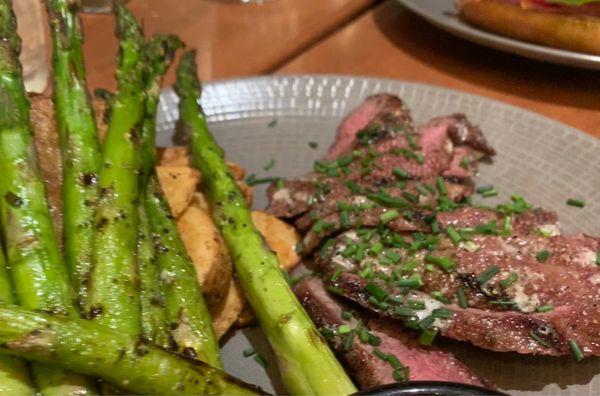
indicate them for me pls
(306, 363)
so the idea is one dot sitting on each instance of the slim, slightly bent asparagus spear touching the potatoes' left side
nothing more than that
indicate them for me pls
(186, 311)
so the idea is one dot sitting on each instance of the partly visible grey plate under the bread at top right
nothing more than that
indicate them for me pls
(443, 14)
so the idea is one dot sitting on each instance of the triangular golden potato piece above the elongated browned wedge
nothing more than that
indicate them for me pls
(179, 184)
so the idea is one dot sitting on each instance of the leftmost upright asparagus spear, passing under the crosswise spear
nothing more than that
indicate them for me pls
(37, 268)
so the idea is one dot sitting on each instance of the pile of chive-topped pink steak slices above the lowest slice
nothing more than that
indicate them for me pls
(390, 225)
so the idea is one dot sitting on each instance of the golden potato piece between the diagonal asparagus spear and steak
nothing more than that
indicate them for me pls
(281, 238)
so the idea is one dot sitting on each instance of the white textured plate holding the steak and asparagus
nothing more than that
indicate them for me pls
(260, 119)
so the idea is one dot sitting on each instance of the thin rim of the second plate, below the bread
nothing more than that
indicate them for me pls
(507, 44)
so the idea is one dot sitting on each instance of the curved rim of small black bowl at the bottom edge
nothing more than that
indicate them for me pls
(428, 388)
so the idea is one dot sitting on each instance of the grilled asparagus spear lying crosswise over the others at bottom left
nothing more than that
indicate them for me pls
(91, 349)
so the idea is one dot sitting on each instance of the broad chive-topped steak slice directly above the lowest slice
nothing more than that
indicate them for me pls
(494, 316)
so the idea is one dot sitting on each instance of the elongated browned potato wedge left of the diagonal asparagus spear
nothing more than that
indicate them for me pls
(207, 249)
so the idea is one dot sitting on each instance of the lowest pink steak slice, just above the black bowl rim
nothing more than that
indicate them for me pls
(423, 362)
